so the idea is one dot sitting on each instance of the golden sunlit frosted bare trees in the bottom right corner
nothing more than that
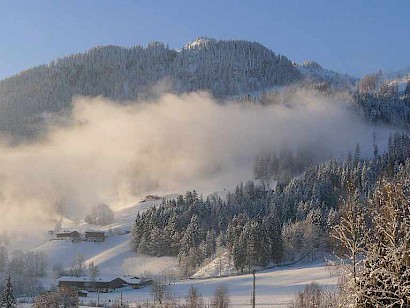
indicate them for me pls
(374, 233)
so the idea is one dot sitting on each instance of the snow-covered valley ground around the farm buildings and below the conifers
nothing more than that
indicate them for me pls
(274, 287)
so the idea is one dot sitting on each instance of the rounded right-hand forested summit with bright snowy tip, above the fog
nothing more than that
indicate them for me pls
(230, 67)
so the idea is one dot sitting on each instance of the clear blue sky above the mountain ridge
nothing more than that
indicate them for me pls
(354, 37)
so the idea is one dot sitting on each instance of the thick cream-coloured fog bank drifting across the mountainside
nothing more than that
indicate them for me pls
(111, 151)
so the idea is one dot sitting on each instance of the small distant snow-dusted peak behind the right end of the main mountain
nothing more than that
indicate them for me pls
(314, 73)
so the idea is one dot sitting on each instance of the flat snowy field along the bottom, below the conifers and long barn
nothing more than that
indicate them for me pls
(274, 287)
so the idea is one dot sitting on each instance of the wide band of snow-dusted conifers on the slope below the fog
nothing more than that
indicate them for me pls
(261, 226)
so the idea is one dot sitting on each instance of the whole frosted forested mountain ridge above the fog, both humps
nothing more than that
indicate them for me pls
(222, 67)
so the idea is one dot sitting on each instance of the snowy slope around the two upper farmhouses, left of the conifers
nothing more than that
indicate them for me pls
(114, 256)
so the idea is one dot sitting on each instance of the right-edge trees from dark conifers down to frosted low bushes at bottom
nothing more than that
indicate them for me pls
(371, 237)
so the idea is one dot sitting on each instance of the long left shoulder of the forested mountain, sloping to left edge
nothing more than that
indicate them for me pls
(112, 71)
